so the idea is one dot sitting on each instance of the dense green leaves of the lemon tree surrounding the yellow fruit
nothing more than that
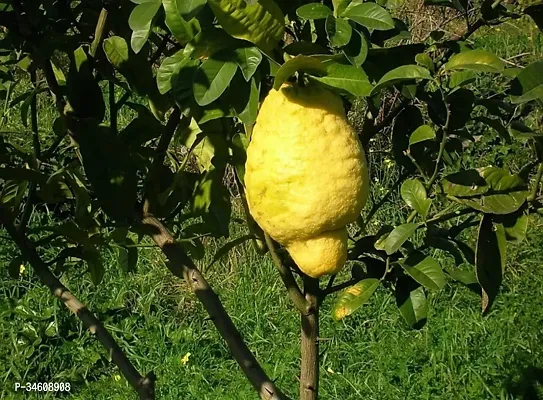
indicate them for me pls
(192, 75)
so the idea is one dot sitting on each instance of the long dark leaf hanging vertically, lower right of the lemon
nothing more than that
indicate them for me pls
(490, 256)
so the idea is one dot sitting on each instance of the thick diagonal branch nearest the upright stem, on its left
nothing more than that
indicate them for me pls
(182, 266)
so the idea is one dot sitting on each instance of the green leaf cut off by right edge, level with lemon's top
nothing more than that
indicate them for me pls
(528, 84)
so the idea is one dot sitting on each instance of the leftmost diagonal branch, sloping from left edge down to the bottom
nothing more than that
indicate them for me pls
(143, 385)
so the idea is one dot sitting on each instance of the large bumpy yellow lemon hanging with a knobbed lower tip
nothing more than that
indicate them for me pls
(306, 175)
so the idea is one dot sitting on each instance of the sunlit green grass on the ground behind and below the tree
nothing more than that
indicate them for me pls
(458, 354)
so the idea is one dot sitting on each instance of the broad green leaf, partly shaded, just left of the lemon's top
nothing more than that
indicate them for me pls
(211, 80)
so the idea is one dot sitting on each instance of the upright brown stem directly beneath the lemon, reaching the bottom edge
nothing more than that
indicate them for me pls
(309, 378)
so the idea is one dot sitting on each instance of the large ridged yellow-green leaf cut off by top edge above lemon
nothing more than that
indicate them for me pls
(261, 23)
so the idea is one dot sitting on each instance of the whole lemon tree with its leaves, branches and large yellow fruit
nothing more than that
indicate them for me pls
(247, 101)
